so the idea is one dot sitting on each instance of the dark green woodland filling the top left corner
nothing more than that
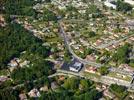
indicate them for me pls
(19, 7)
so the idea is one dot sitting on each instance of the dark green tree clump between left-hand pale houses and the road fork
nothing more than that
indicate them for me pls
(39, 69)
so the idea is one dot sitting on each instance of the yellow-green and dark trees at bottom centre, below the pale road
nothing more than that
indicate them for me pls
(73, 89)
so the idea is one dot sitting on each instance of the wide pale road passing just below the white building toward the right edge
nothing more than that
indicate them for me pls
(103, 79)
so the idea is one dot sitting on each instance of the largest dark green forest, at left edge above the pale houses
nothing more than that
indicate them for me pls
(14, 39)
